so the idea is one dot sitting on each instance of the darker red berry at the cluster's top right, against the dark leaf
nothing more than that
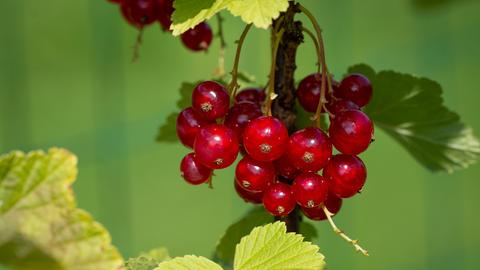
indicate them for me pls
(357, 88)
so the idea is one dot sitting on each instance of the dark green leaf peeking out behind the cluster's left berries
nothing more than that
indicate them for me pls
(167, 131)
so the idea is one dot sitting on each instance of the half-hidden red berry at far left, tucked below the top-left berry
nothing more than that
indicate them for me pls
(189, 123)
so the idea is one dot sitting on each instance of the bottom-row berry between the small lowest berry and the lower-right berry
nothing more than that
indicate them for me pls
(310, 189)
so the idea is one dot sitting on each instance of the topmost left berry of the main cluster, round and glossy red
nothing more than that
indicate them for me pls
(210, 99)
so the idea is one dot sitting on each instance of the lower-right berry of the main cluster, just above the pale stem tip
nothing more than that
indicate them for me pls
(346, 175)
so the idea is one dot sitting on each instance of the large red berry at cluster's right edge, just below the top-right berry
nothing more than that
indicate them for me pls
(351, 132)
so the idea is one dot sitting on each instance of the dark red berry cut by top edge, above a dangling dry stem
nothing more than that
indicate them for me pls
(140, 12)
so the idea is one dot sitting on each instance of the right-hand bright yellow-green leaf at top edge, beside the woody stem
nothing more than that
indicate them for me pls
(259, 12)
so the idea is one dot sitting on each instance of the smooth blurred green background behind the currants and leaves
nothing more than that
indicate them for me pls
(66, 79)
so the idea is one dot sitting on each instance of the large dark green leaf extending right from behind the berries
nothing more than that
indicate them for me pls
(411, 110)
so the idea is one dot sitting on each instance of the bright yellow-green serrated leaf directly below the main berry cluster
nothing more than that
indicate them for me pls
(271, 248)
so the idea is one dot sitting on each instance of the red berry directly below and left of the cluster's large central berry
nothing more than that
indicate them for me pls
(253, 175)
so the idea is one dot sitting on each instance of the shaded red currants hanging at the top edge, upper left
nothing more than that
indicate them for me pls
(141, 13)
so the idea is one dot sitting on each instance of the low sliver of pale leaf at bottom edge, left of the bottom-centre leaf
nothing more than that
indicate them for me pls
(189, 263)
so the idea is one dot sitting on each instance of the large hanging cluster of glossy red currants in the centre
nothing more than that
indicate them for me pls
(279, 170)
